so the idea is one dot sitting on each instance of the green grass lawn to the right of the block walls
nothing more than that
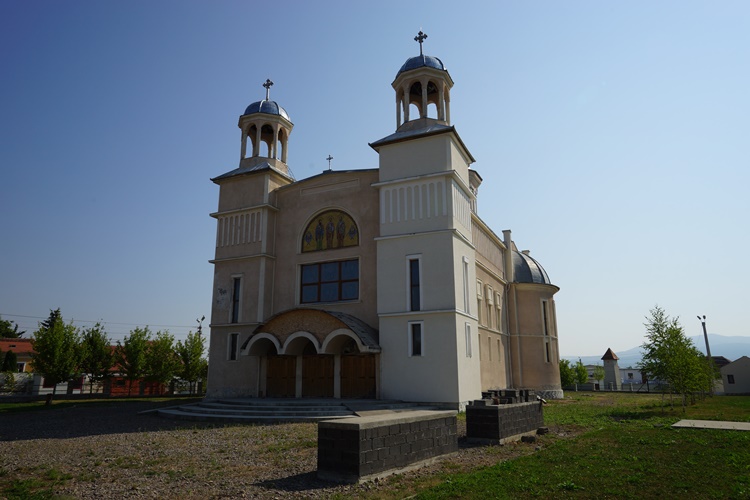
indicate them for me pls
(625, 449)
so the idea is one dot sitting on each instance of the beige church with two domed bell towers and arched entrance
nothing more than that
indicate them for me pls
(380, 283)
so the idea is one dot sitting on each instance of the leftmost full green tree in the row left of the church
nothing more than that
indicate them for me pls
(56, 348)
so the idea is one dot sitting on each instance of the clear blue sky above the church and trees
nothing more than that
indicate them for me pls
(612, 138)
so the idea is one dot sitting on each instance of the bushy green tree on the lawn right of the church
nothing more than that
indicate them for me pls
(670, 356)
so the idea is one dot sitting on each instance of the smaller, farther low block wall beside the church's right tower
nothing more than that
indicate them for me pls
(501, 422)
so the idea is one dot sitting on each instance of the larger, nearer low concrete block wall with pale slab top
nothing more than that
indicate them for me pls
(361, 448)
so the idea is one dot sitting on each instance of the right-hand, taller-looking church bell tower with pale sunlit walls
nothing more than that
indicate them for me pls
(425, 257)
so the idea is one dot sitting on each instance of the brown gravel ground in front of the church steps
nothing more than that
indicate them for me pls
(110, 450)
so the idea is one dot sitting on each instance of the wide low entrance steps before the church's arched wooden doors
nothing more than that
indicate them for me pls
(272, 410)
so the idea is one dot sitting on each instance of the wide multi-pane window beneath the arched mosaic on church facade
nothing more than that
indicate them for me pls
(329, 281)
